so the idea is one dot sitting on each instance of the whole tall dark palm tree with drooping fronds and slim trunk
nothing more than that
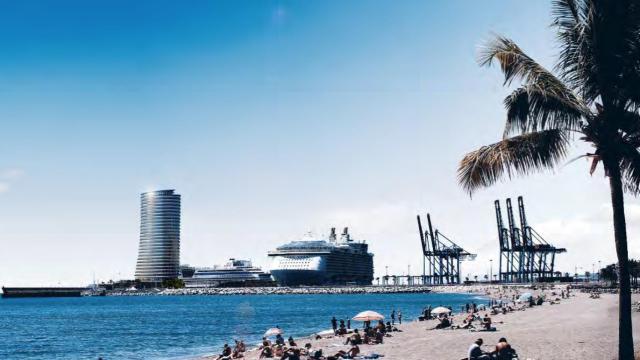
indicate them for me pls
(593, 95)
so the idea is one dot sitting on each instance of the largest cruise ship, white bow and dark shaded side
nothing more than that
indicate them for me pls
(331, 261)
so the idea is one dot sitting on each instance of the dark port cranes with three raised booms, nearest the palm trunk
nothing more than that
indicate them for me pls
(525, 256)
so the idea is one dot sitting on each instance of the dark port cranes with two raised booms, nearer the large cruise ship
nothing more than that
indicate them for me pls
(442, 255)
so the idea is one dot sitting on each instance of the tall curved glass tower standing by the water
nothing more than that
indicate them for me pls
(159, 249)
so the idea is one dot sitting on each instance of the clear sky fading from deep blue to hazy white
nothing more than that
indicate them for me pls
(271, 119)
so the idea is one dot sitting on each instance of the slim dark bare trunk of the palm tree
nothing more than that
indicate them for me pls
(625, 335)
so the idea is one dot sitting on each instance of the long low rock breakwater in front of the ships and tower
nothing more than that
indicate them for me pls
(320, 290)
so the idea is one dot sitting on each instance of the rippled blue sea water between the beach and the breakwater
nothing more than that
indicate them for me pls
(179, 327)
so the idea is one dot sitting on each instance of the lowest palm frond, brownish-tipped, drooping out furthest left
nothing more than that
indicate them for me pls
(519, 155)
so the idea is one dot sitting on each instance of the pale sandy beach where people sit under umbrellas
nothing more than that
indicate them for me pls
(576, 328)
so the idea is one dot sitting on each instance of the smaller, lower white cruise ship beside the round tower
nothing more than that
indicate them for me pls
(235, 272)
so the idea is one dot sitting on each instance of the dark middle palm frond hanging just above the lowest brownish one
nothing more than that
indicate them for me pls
(541, 107)
